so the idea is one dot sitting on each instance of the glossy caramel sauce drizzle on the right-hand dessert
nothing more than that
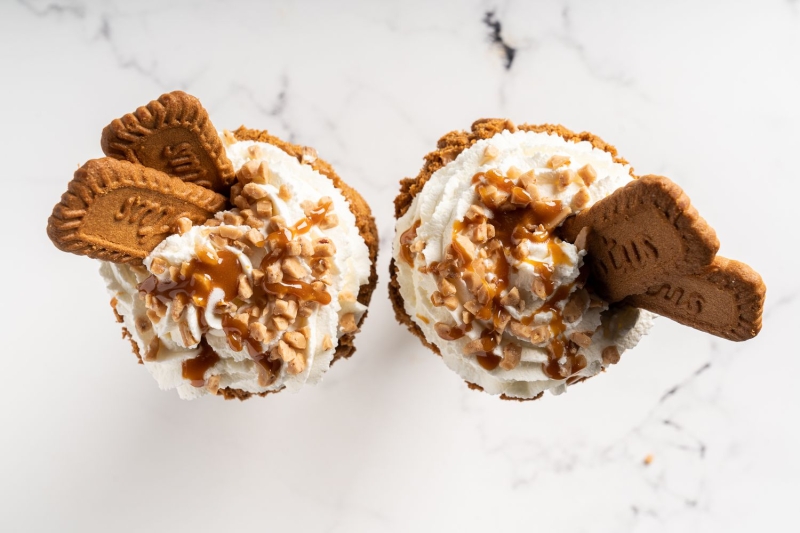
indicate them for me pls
(513, 226)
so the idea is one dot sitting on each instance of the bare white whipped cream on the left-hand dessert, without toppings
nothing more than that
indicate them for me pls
(236, 369)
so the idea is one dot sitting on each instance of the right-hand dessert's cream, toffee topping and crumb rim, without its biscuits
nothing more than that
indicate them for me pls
(479, 274)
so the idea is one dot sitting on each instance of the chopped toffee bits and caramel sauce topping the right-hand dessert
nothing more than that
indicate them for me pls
(491, 242)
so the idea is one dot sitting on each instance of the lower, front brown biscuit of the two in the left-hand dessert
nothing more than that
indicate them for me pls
(117, 211)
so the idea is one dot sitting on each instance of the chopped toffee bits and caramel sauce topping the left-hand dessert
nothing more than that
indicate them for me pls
(272, 302)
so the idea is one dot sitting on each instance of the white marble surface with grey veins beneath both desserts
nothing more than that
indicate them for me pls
(703, 92)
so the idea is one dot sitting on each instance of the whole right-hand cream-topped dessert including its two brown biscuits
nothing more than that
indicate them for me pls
(481, 275)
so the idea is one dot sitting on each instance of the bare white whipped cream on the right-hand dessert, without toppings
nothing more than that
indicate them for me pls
(445, 199)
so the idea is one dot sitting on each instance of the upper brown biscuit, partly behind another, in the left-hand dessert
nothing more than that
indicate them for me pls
(174, 135)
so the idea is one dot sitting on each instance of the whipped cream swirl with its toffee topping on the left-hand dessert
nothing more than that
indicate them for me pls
(251, 321)
